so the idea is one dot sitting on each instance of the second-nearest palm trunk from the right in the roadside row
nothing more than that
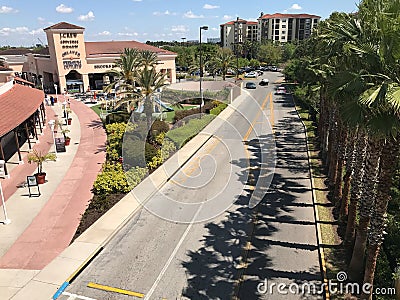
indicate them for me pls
(366, 204)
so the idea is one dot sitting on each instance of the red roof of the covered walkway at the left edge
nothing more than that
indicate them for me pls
(16, 105)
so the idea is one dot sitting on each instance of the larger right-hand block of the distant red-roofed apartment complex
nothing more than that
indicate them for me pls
(286, 27)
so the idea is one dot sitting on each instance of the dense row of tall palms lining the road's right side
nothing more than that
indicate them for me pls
(357, 74)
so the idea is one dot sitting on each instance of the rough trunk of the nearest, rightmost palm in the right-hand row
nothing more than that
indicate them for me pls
(378, 221)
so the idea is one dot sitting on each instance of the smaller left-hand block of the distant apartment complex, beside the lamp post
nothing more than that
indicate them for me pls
(238, 31)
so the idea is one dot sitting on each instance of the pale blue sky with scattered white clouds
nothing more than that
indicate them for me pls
(22, 21)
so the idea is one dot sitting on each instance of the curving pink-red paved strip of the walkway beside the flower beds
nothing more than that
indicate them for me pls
(53, 228)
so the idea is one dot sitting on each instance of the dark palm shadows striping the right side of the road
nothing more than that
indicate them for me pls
(275, 241)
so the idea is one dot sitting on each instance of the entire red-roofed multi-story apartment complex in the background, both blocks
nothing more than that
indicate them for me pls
(275, 27)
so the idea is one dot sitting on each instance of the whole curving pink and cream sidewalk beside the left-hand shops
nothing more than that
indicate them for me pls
(42, 227)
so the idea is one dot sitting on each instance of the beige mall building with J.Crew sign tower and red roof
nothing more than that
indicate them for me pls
(73, 65)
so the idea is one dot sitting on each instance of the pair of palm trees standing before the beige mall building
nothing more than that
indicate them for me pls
(137, 79)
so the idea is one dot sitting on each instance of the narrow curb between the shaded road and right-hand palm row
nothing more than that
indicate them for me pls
(316, 214)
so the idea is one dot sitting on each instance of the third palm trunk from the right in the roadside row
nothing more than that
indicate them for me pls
(356, 187)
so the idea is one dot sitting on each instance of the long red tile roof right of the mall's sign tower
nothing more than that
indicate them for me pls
(94, 49)
